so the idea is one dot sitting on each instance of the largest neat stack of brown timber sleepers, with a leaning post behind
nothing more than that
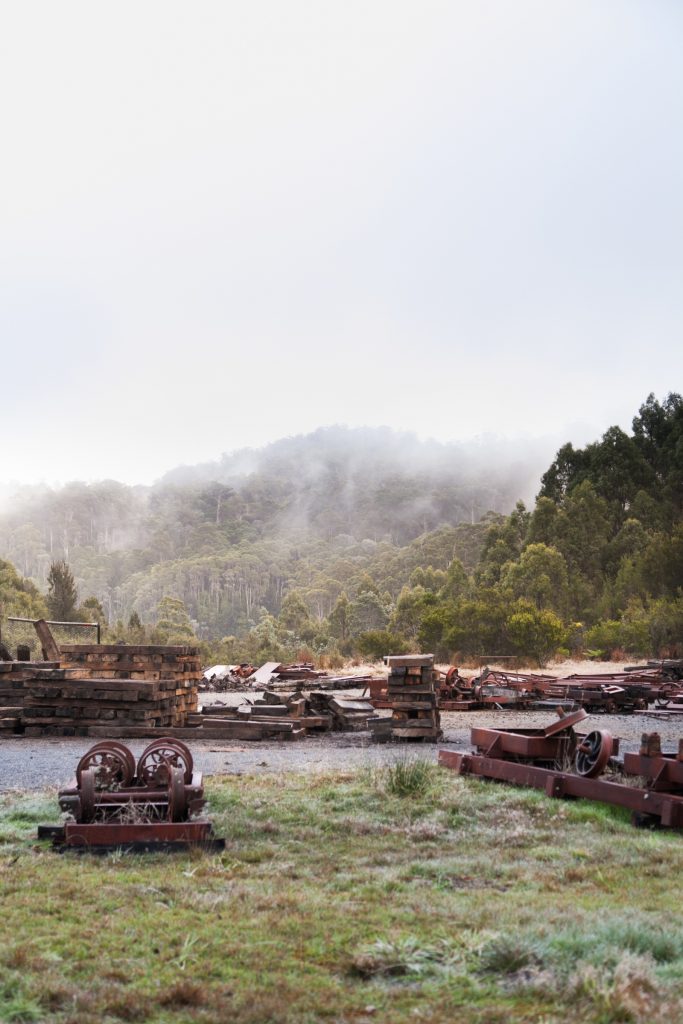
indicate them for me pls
(111, 691)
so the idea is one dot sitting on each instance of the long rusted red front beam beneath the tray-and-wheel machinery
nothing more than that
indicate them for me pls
(667, 807)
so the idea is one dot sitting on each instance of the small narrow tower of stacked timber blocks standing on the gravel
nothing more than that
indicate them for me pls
(412, 694)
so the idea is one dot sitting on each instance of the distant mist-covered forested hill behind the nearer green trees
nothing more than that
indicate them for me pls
(232, 538)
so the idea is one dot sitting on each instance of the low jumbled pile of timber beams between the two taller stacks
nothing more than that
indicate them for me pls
(280, 716)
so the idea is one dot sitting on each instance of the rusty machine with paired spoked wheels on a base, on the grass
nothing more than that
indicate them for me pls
(115, 803)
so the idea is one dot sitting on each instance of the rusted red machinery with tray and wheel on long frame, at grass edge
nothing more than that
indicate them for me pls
(565, 763)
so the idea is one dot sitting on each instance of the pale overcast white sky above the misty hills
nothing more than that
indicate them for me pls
(227, 223)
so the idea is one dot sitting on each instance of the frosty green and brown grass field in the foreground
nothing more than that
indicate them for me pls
(405, 894)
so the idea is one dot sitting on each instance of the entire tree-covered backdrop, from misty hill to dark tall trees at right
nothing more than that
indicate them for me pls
(361, 542)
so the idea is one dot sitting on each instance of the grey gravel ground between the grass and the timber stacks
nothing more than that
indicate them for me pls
(34, 764)
